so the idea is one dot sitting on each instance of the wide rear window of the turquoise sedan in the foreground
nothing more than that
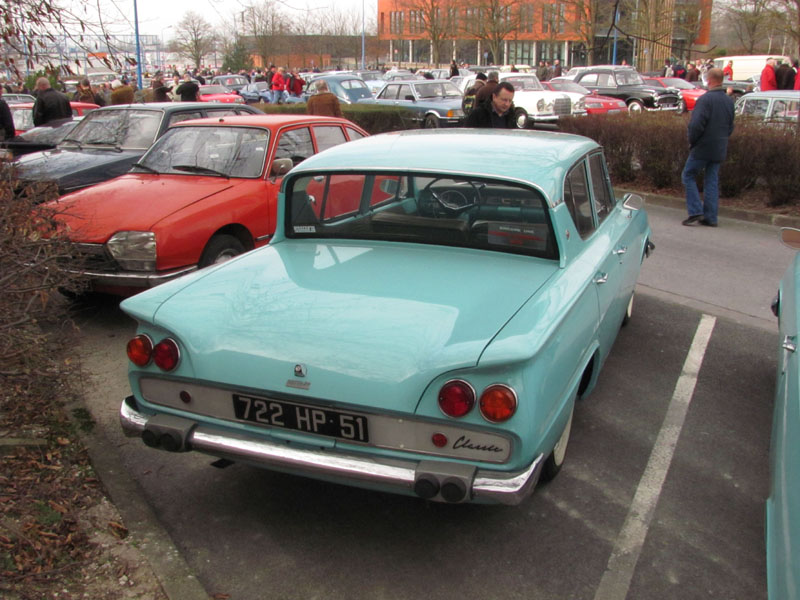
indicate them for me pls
(426, 209)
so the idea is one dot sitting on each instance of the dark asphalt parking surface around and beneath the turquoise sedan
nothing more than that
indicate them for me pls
(662, 494)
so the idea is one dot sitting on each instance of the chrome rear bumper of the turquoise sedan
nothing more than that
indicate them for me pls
(435, 480)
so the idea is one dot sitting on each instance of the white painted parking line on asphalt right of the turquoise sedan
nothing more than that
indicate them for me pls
(616, 580)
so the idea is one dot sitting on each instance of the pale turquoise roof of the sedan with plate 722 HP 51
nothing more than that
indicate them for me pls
(463, 151)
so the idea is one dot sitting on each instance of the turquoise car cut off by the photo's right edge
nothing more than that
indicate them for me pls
(783, 504)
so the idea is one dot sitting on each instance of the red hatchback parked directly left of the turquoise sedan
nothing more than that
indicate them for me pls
(206, 191)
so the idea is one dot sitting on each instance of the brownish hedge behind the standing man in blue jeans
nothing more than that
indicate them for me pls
(652, 148)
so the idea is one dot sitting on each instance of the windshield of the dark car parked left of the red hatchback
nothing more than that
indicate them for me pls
(125, 128)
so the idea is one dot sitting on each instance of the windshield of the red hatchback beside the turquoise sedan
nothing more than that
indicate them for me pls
(228, 151)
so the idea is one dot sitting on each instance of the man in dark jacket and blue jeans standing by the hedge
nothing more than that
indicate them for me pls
(709, 129)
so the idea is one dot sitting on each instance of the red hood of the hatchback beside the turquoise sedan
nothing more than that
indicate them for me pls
(134, 202)
